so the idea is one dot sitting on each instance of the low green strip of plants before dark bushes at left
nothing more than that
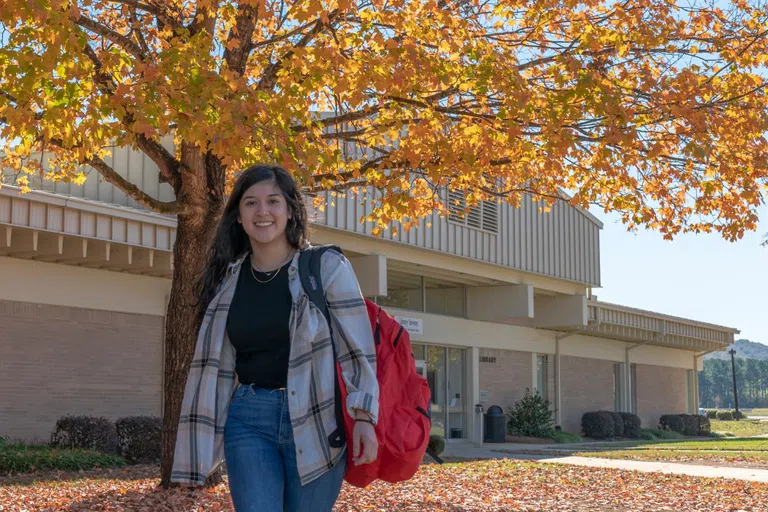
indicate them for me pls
(20, 458)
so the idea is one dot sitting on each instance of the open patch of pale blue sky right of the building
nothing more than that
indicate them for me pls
(699, 276)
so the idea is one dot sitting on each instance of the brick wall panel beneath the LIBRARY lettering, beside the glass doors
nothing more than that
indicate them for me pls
(506, 378)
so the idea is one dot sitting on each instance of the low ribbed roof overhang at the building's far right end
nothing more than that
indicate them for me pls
(646, 327)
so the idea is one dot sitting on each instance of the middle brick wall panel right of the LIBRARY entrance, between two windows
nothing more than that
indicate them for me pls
(587, 386)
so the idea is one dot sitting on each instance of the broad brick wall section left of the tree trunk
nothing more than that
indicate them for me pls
(58, 360)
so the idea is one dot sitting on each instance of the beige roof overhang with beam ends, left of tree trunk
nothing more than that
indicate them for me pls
(49, 227)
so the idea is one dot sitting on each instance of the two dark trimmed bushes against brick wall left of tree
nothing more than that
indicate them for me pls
(136, 438)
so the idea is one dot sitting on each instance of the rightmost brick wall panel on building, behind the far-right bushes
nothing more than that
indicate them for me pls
(660, 390)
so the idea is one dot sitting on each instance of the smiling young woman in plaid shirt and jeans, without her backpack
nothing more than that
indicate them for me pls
(260, 390)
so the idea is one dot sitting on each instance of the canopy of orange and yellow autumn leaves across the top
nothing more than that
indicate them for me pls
(638, 106)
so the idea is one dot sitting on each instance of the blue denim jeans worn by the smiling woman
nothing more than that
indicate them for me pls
(261, 458)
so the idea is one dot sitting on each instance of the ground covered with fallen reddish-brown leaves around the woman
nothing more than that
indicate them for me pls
(477, 486)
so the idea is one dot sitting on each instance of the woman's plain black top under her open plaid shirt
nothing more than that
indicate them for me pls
(257, 326)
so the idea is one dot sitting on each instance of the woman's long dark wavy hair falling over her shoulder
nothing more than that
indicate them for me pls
(231, 240)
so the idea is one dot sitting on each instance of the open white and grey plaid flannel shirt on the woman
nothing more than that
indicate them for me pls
(311, 373)
